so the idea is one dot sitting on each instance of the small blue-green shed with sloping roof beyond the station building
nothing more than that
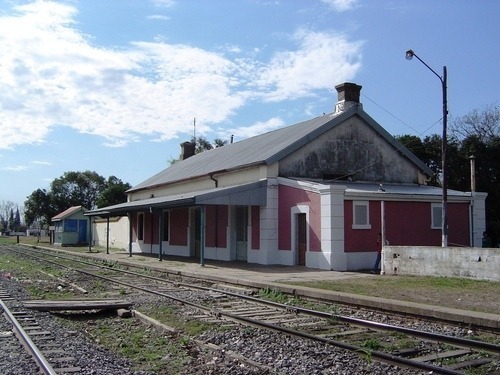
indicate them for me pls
(71, 227)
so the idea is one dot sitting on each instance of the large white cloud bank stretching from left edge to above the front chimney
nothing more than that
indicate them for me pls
(52, 75)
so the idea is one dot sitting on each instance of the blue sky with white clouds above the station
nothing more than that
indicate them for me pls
(115, 86)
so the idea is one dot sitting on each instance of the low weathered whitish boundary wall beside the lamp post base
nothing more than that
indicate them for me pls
(474, 262)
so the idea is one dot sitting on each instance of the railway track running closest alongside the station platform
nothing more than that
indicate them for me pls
(424, 351)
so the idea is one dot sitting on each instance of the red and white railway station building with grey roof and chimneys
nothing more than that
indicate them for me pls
(316, 193)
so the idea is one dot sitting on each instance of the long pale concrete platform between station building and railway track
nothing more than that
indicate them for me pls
(279, 277)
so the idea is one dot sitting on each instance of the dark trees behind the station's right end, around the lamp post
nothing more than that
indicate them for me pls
(475, 134)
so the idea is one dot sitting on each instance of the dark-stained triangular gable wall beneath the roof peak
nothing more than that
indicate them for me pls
(352, 150)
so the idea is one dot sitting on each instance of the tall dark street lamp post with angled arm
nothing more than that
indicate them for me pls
(444, 219)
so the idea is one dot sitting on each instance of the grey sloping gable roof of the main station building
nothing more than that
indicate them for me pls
(266, 149)
